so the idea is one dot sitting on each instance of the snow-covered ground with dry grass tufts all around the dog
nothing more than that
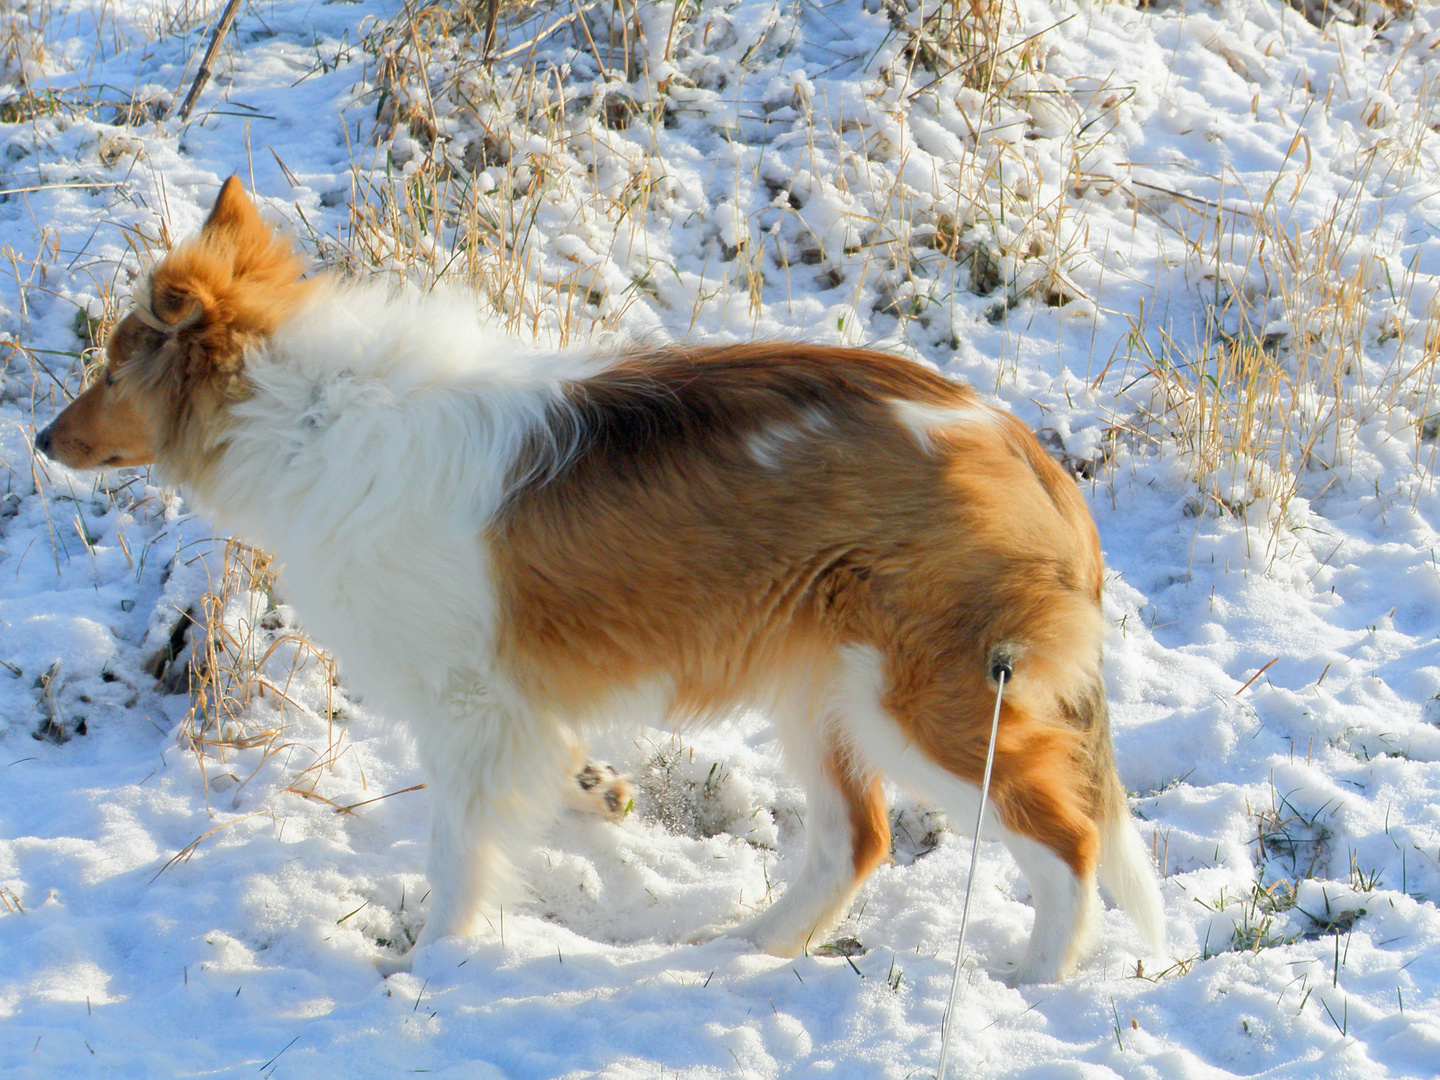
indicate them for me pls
(1193, 244)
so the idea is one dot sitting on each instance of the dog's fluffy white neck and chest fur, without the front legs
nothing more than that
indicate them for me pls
(371, 459)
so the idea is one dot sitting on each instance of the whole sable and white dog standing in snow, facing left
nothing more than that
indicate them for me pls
(508, 546)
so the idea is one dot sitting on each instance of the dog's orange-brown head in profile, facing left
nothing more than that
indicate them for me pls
(176, 361)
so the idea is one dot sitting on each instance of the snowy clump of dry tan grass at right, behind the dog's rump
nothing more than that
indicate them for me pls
(1310, 338)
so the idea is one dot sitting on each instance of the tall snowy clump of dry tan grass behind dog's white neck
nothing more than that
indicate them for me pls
(463, 211)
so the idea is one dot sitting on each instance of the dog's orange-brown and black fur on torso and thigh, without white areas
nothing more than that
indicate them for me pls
(865, 536)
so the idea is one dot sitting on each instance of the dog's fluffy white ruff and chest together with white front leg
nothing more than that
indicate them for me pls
(381, 434)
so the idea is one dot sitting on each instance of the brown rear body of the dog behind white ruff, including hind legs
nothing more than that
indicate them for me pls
(847, 541)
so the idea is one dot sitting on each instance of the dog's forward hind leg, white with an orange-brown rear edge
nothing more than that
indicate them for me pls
(847, 834)
